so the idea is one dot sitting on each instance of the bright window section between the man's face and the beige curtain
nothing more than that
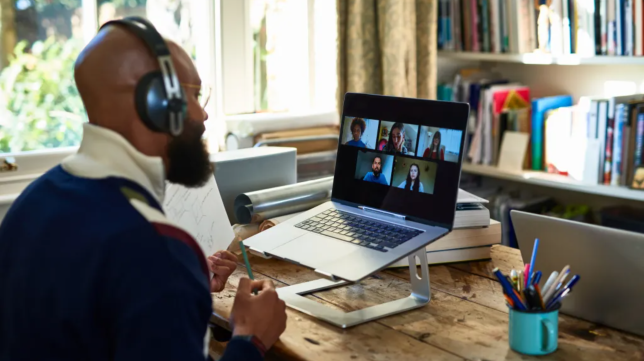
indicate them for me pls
(279, 55)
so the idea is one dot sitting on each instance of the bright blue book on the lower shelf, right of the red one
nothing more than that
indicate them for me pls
(539, 108)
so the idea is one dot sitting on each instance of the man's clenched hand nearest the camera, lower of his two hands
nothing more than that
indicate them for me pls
(262, 316)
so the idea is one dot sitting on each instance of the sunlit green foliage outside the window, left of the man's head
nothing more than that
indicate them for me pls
(39, 103)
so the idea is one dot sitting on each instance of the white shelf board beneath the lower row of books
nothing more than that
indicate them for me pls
(554, 181)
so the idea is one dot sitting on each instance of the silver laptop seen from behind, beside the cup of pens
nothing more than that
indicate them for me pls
(610, 264)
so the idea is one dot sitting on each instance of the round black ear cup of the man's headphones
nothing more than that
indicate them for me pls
(151, 102)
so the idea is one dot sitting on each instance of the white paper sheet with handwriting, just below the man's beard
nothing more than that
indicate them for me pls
(201, 212)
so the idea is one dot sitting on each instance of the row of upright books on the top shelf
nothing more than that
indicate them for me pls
(559, 27)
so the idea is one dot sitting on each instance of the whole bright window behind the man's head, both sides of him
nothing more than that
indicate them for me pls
(260, 56)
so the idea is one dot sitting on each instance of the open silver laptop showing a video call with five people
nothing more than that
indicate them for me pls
(395, 188)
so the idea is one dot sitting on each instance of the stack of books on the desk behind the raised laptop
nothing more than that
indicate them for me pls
(471, 239)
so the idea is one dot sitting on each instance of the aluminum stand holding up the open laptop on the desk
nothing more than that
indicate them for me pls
(420, 296)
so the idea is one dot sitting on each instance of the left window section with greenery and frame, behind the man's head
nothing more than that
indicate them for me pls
(39, 104)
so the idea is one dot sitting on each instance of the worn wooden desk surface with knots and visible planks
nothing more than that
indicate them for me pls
(465, 319)
